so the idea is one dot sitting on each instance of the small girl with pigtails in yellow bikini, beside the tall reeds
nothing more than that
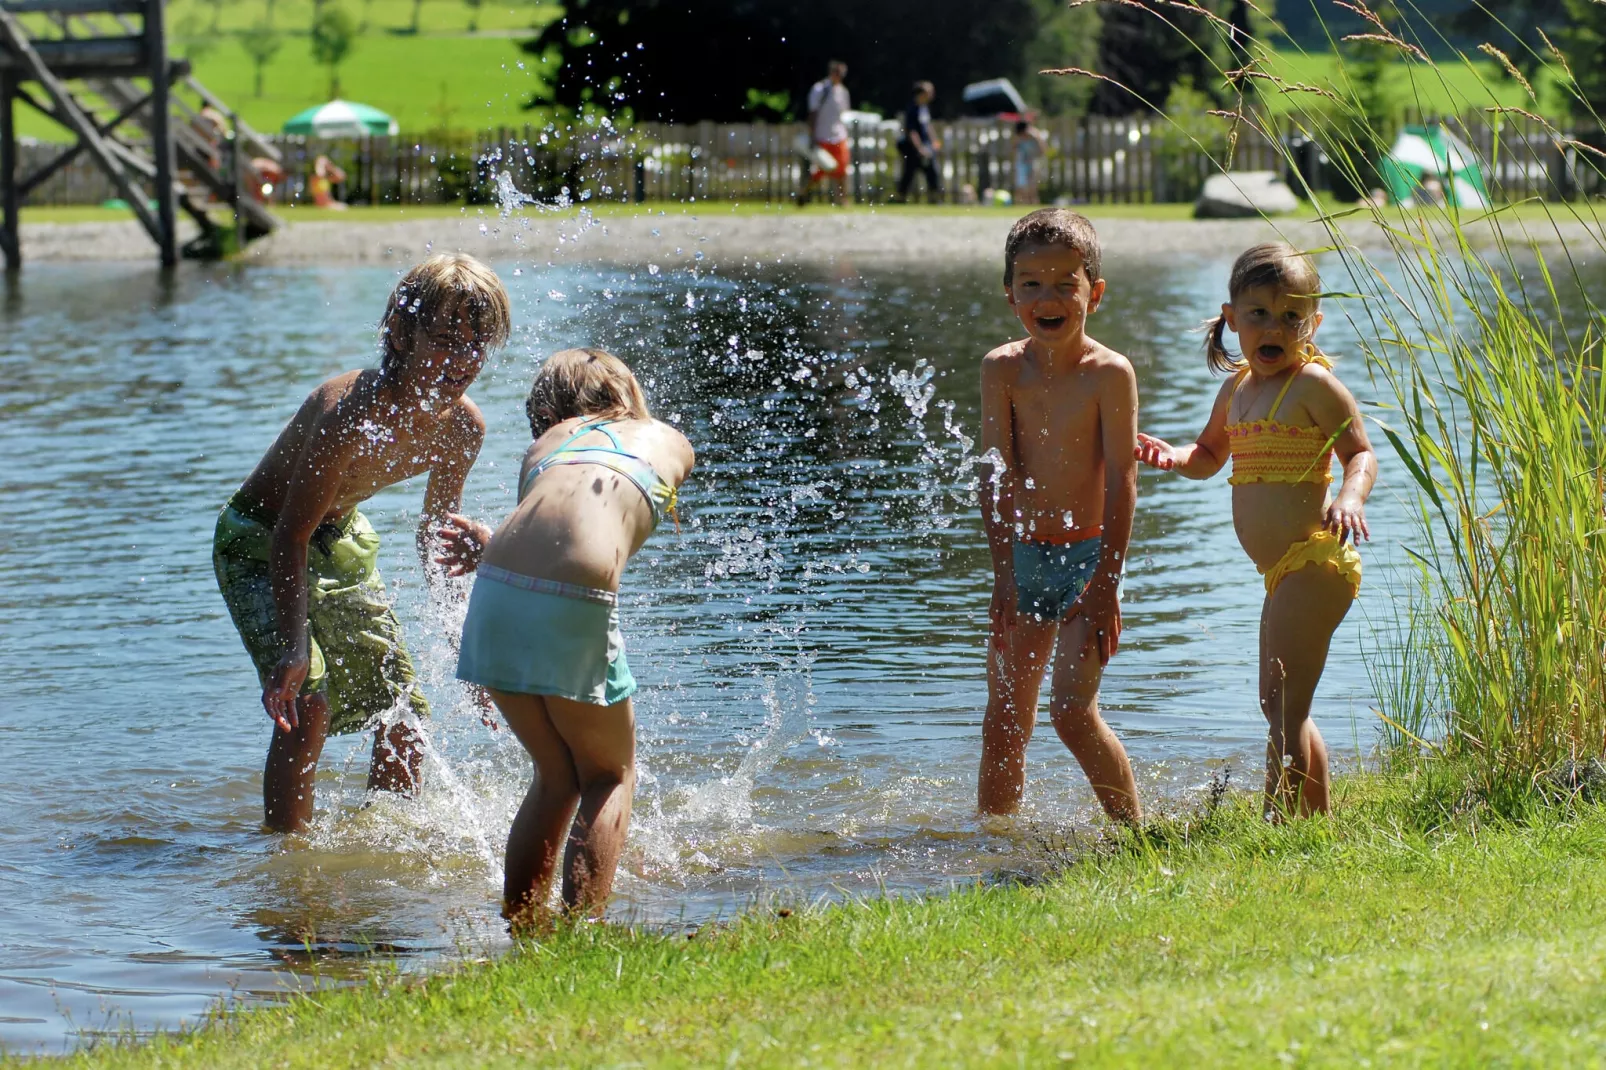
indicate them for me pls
(1281, 417)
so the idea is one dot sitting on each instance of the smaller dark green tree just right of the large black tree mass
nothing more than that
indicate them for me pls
(1147, 57)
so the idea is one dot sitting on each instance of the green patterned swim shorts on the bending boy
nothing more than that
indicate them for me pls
(354, 640)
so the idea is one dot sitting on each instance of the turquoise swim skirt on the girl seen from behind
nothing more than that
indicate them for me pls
(540, 637)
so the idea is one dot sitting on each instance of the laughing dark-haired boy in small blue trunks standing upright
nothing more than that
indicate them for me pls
(1059, 423)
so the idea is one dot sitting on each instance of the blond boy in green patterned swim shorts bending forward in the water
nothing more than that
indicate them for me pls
(296, 562)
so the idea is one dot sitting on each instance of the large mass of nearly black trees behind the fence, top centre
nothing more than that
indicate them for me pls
(736, 60)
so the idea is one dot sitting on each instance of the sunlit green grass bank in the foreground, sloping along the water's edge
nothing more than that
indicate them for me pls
(1384, 934)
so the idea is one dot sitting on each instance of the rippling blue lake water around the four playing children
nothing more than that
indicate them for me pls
(810, 645)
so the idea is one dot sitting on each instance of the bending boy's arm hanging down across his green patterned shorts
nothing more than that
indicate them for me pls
(308, 500)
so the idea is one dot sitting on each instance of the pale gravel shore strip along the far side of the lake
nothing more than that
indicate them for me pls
(685, 239)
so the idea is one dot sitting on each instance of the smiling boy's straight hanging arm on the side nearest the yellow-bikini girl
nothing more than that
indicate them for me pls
(1101, 603)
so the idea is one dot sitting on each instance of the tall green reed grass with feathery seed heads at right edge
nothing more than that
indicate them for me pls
(1486, 346)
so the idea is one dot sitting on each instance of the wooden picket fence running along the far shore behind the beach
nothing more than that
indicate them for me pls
(1088, 161)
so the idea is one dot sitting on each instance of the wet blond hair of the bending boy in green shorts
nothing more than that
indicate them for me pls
(449, 282)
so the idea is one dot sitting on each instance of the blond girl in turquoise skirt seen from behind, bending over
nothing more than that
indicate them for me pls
(544, 631)
